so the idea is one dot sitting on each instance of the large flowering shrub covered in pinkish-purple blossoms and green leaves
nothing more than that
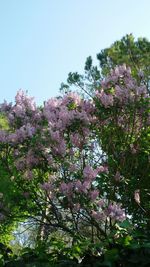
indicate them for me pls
(76, 163)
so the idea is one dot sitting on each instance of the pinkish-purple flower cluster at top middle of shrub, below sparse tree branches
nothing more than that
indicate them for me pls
(60, 115)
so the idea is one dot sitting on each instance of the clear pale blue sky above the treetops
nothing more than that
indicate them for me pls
(42, 40)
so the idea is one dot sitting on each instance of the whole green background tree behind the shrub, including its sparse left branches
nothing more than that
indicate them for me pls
(133, 53)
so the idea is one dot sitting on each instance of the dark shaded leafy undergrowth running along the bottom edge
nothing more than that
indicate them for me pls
(117, 255)
